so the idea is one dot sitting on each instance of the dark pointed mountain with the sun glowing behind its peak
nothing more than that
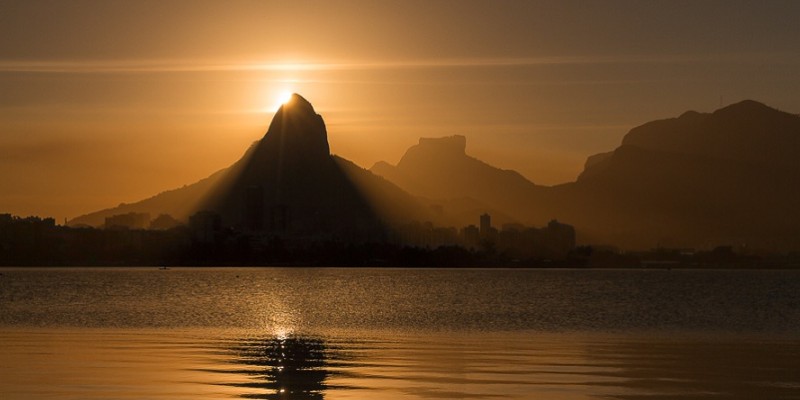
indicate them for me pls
(288, 183)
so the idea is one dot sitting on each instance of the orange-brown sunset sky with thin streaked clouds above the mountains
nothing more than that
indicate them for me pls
(105, 102)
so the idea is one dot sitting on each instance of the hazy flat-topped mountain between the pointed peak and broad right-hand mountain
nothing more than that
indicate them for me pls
(439, 169)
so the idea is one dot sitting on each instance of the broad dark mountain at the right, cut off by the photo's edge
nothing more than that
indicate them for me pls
(703, 179)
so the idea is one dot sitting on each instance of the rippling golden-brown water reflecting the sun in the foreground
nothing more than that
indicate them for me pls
(144, 333)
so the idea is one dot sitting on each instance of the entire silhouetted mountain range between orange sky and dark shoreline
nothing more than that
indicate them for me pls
(731, 177)
